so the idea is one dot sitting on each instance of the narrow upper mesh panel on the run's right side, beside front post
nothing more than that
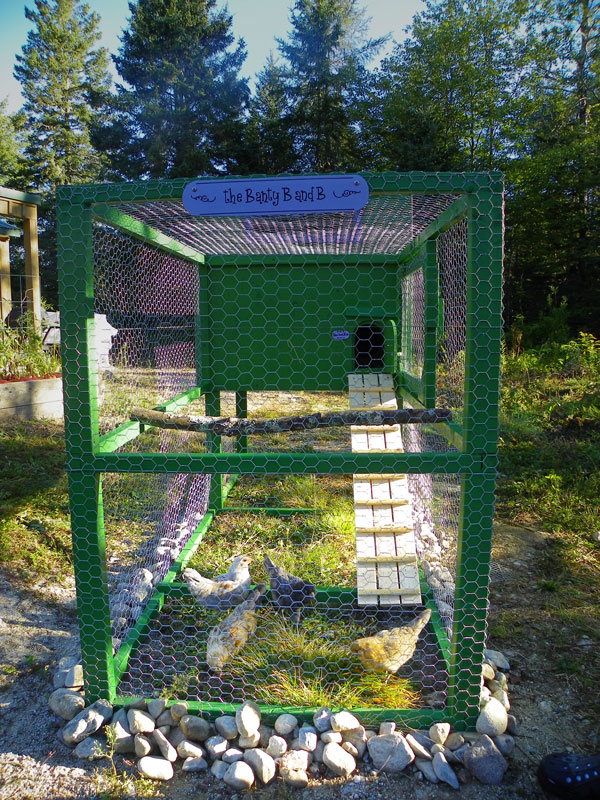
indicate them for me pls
(452, 260)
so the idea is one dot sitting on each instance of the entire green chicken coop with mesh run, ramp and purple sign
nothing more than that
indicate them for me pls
(303, 371)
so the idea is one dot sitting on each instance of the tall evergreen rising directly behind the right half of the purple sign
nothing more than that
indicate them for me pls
(325, 53)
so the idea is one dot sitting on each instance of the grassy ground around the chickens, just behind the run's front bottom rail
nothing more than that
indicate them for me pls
(283, 665)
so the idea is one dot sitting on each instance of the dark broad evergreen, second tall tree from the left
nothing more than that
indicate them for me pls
(182, 111)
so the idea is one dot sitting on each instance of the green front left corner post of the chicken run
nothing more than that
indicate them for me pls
(76, 278)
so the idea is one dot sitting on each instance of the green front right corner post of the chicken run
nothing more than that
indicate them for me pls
(482, 367)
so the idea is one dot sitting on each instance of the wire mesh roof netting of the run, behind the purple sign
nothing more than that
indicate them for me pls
(386, 224)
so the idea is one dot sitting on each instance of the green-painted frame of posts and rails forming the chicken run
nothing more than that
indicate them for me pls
(89, 454)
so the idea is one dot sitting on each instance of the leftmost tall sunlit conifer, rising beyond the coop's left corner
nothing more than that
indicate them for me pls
(65, 83)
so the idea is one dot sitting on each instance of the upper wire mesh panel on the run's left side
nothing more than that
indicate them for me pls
(146, 302)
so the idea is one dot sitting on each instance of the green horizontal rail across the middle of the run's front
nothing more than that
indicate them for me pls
(282, 463)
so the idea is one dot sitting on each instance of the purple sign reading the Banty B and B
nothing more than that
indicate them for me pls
(252, 197)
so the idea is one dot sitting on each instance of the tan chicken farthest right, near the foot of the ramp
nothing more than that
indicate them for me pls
(387, 651)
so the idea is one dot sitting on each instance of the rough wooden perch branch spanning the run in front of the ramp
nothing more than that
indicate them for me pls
(234, 426)
